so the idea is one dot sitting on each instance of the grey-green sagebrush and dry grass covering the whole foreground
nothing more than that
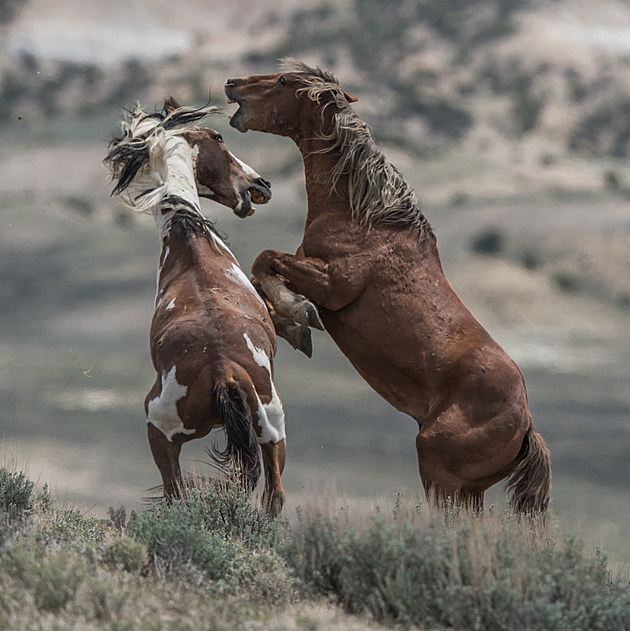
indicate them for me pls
(213, 560)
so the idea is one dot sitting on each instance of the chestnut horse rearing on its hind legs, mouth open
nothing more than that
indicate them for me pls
(369, 263)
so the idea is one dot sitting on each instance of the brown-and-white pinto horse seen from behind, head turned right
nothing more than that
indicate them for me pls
(212, 340)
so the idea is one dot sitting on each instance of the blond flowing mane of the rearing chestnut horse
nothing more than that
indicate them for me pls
(378, 191)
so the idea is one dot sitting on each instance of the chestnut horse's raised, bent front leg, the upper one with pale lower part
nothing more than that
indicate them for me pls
(330, 286)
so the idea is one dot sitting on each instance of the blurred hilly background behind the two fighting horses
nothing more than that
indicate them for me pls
(511, 118)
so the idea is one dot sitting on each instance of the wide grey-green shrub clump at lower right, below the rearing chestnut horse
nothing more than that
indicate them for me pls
(487, 572)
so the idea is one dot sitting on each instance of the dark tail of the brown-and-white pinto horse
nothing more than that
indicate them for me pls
(241, 445)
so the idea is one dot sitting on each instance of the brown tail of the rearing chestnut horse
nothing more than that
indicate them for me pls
(530, 482)
